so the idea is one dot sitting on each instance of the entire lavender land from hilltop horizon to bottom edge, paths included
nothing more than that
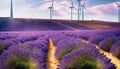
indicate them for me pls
(59, 44)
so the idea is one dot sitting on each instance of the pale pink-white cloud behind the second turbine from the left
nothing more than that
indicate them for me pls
(60, 8)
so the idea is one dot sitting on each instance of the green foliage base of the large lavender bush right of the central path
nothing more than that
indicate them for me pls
(85, 63)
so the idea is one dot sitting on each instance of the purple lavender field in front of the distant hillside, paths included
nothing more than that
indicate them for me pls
(72, 49)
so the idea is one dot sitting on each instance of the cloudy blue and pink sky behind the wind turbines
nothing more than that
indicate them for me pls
(105, 10)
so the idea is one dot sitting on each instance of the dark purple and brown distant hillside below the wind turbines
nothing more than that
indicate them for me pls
(18, 24)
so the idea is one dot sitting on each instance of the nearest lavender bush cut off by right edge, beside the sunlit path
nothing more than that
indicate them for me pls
(115, 49)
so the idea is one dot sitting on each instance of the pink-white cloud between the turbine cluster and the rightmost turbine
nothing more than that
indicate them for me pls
(109, 9)
